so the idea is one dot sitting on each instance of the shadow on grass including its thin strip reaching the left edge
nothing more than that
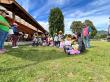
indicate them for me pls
(35, 54)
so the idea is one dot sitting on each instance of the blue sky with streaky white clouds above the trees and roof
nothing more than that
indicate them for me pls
(97, 11)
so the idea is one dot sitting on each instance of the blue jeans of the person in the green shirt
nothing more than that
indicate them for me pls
(3, 36)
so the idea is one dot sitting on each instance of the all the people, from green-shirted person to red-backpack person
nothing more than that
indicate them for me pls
(74, 44)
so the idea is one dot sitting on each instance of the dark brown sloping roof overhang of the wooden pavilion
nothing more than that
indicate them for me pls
(14, 7)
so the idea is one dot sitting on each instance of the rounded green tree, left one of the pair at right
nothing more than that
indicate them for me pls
(76, 26)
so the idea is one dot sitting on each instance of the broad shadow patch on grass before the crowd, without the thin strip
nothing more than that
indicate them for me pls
(36, 54)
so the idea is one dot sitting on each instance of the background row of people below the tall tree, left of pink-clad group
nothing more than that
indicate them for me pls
(47, 40)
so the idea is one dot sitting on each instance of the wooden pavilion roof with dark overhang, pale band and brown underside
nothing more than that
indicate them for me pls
(27, 24)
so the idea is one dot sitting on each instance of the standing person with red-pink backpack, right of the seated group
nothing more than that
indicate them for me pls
(86, 36)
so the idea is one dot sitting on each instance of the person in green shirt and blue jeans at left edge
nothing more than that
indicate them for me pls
(4, 28)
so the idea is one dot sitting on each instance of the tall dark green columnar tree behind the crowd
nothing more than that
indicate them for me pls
(56, 21)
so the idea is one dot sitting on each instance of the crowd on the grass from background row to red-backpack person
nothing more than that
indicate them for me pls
(72, 44)
